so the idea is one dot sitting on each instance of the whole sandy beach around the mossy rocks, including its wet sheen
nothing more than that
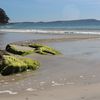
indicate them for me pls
(71, 76)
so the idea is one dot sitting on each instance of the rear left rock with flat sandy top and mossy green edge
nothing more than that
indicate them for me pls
(15, 49)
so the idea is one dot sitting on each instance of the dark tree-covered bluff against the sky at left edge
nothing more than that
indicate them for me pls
(3, 17)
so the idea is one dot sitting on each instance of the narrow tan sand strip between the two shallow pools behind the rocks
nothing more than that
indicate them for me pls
(60, 38)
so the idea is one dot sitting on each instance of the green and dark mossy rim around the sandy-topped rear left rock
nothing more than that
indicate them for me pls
(14, 50)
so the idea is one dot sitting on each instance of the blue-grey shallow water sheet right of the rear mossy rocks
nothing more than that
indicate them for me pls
(87, 49)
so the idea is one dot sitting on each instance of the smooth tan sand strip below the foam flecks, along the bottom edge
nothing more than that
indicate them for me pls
(90, 92)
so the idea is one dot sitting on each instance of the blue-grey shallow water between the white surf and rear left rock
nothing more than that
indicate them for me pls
(6, 38)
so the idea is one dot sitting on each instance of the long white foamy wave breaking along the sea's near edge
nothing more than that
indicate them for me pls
(50, 31)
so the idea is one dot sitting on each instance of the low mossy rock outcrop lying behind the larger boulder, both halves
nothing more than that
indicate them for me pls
(35, 47)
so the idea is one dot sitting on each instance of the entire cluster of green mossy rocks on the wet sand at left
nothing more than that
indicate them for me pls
(11, 64)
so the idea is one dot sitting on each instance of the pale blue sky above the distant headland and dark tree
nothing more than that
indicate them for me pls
(50, 10)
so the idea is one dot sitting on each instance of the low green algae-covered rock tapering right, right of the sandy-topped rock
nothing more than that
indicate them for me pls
(43, 49)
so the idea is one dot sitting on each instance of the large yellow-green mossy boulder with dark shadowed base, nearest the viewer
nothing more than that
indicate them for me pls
(11, 65)
